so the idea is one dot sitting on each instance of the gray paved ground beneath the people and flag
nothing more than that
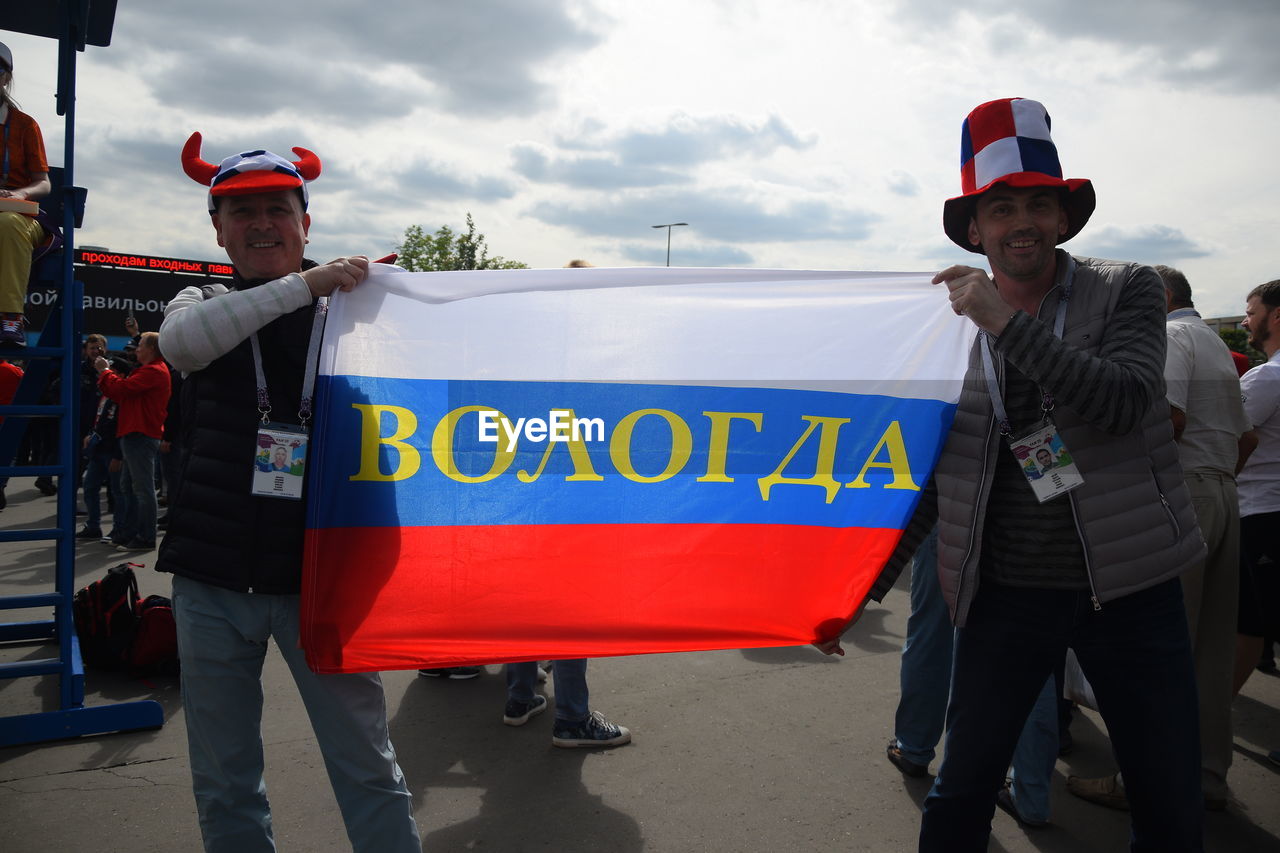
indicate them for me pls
(743, 752)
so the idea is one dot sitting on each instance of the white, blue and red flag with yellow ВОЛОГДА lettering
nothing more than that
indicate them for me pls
(516, 466)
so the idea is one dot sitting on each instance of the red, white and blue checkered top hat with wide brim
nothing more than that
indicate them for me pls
(1008, 143)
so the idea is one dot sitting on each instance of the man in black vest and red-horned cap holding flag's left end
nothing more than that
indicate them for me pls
(235, 548)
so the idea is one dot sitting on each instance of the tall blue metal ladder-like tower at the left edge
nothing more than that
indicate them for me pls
(75, 24)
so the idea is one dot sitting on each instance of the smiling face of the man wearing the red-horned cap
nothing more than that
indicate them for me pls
(264, 234)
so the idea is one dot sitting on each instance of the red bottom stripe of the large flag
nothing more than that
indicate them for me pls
(492, 595)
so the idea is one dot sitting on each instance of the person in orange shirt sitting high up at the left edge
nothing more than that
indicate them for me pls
(24, 176)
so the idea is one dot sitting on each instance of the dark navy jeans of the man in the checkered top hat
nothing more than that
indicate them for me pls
(1137, 655)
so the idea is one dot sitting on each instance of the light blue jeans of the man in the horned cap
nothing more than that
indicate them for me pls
(222, 642)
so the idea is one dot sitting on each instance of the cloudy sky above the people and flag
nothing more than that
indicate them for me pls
(789, 134)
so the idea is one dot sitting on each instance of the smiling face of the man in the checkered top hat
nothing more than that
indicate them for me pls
(1020, 229)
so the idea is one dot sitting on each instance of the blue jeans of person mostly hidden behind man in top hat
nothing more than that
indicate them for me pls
(926, 683)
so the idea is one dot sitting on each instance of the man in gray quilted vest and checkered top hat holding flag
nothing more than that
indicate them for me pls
(1069, 359)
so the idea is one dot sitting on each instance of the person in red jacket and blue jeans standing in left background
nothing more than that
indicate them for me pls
(144, 399)
